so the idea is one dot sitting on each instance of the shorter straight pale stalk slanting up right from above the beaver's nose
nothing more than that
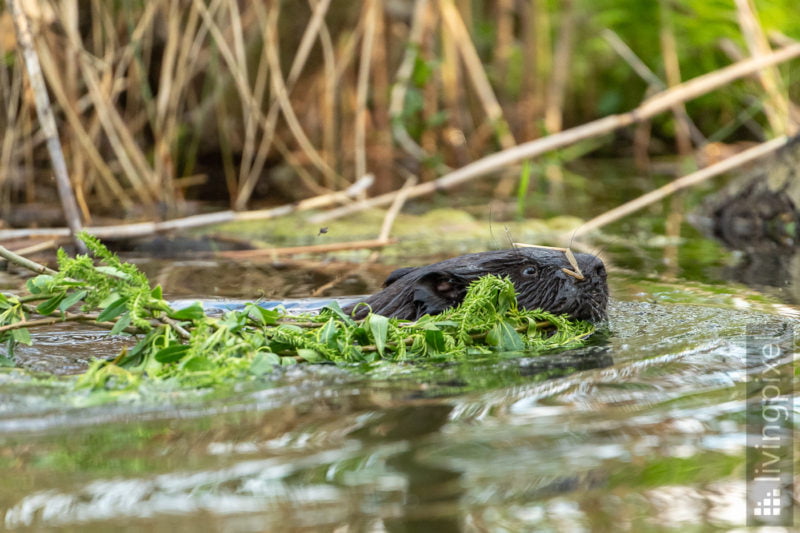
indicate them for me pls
(680, 183)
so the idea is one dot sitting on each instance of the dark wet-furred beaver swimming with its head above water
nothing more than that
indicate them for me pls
(537, 274)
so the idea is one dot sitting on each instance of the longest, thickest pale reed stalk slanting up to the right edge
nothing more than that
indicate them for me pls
(658, 103)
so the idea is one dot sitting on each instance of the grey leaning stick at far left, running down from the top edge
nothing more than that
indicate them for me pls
(45, 112)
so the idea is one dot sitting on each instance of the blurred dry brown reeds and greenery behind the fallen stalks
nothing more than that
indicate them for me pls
(246, 104)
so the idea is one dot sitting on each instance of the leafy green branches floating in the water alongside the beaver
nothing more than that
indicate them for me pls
(190, 349)
